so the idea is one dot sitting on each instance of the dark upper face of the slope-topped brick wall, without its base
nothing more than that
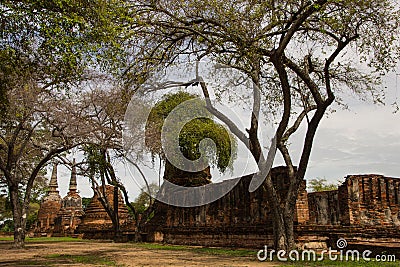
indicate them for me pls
(238, 207)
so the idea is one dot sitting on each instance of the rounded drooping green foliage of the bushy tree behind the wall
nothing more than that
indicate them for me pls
(202, 126)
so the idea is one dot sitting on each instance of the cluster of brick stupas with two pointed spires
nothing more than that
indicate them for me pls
(62, 217)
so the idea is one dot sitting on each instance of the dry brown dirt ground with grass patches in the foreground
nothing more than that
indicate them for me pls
(113, 254)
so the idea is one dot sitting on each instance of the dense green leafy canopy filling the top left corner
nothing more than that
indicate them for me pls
(53, 42)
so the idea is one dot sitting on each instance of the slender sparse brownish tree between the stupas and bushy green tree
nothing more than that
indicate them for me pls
(103, 109)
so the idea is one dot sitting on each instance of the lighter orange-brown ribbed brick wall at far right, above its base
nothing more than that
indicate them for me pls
(363, 200)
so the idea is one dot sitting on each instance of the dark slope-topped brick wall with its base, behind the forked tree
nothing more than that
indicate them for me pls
(239, 218)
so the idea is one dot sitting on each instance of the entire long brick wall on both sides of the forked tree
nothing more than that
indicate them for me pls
(364, 207)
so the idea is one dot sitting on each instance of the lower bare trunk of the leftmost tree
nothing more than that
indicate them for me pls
(18, 217)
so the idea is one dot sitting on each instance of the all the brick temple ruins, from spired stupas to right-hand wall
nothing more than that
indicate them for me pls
(364, 208)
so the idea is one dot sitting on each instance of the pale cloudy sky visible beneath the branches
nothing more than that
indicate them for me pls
(363, 139)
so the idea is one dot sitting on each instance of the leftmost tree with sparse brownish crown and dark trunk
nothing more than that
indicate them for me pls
(33, 130)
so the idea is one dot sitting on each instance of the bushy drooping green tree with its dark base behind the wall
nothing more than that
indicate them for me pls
(189, 138)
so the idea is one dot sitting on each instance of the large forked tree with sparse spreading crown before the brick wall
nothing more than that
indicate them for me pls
(301, 54)
